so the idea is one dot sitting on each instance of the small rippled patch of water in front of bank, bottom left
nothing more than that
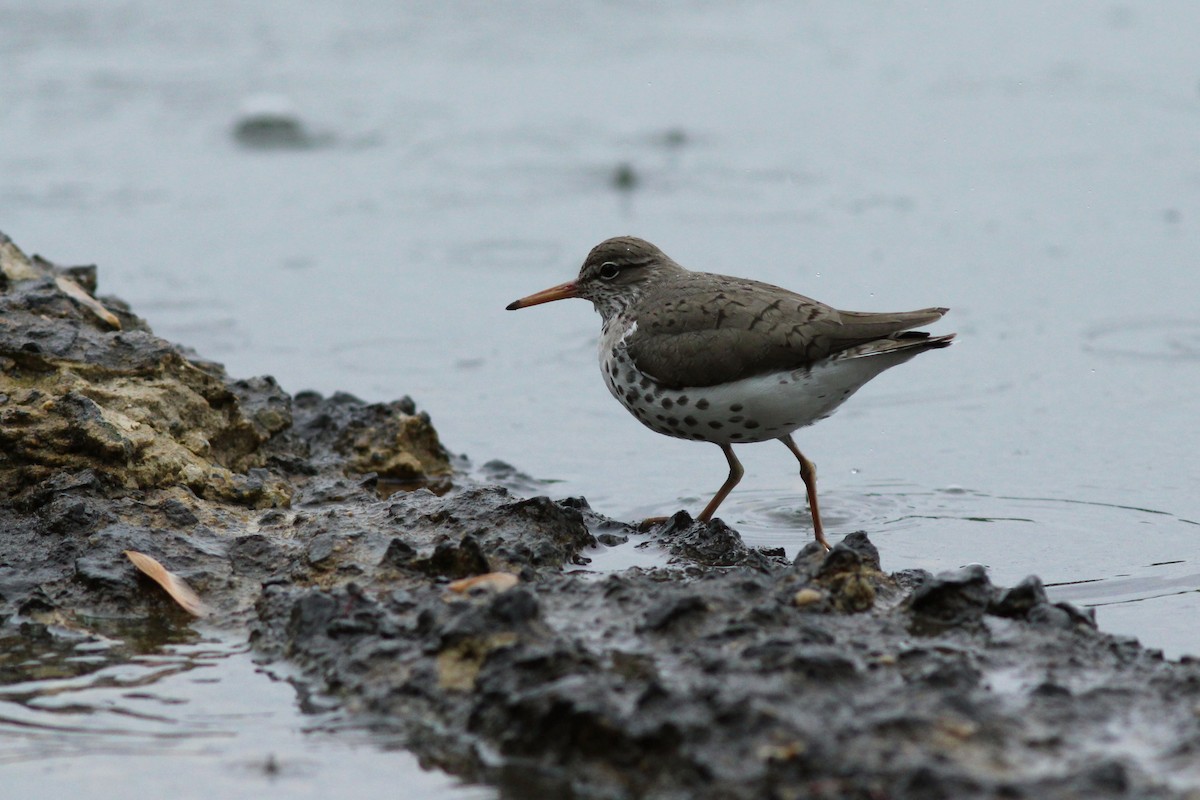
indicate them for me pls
(76, 706)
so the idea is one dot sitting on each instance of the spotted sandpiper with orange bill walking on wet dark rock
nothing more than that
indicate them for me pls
(729, 360)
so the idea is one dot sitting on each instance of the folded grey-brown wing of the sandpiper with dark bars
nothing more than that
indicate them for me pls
(716, 329)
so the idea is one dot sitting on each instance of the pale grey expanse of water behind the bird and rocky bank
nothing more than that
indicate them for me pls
(1033, 167)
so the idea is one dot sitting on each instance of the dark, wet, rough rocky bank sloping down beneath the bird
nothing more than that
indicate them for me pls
(466, 615)
